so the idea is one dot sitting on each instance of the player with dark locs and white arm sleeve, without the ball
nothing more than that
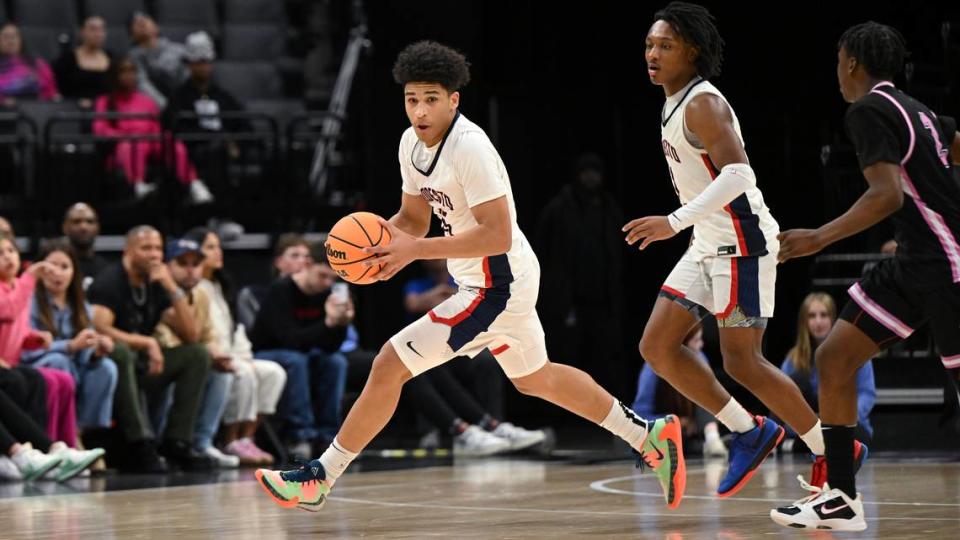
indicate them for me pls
(729, 270)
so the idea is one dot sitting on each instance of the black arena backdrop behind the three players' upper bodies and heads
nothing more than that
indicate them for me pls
(551, 82)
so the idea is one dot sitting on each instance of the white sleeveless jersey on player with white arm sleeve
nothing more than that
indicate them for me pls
(745, 226)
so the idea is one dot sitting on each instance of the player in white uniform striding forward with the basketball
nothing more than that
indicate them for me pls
(450, 169)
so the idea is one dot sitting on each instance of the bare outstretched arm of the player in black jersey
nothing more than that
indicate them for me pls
(883, 197)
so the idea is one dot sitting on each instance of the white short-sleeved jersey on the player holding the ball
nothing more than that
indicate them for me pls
(463, 171)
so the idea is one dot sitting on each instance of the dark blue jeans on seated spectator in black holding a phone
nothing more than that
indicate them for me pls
(310, 402)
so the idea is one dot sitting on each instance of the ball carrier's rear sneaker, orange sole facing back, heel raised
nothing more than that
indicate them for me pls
(662, 451)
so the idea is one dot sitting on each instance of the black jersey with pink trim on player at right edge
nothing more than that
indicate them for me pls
(887, 125)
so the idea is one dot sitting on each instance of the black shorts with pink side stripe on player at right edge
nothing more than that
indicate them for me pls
(887, 307)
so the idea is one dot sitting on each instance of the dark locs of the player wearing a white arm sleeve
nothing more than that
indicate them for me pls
(698, 28)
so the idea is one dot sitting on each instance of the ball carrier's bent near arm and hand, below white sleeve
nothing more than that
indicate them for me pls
(493, 235)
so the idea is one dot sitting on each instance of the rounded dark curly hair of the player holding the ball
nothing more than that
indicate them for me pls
(432, 62)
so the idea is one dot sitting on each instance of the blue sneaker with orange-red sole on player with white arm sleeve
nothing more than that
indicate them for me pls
(747, 452)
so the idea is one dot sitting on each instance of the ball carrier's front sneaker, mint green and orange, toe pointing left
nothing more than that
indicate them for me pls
(304, 488)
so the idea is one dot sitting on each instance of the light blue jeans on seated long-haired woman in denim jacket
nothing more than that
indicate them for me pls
(96, 380)
